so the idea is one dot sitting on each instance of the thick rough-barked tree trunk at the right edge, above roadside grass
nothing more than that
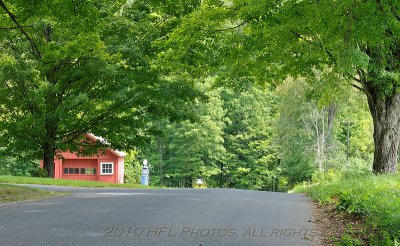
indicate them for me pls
(386, 118)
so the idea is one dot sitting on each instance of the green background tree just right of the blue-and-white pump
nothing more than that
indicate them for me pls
(187, 150)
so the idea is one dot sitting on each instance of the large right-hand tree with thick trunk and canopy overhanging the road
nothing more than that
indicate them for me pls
(355, 41)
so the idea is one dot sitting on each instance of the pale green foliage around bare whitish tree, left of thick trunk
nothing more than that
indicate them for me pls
(315, 127)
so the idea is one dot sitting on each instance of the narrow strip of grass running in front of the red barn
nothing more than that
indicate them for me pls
(65, 182)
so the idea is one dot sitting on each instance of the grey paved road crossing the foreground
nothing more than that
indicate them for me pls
(167, 217)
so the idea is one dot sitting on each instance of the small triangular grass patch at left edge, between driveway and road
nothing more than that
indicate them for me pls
(11, 193)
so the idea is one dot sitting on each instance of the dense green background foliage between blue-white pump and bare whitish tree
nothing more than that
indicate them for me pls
(230, 144)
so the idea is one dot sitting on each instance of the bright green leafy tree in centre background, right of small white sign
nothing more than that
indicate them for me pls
(249, 139)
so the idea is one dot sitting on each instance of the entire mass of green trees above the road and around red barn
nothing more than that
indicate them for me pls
(243, 93)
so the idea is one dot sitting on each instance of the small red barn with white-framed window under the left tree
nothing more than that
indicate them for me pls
(102, 167)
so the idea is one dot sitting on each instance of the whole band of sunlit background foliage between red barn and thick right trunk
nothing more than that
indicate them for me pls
(270, 138)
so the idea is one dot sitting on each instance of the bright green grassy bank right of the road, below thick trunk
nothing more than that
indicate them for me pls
(376, 199)
